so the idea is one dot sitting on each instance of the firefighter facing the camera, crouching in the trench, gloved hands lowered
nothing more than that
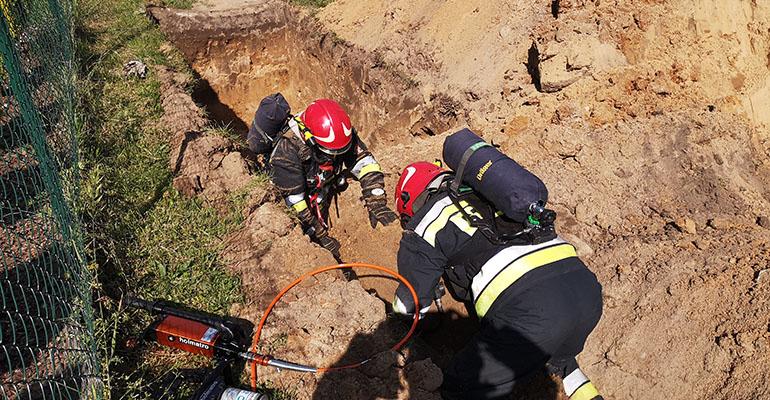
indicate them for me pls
(311, 161)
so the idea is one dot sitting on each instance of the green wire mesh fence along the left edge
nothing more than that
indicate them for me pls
(47, 348)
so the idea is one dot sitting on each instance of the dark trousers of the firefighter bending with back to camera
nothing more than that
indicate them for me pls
(547, 324)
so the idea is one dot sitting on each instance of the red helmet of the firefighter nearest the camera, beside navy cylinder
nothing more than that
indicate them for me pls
(414, 180)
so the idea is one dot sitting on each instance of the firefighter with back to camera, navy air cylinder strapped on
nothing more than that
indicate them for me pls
(484, 229)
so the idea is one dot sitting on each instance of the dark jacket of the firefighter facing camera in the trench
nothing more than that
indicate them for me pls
(308, 179)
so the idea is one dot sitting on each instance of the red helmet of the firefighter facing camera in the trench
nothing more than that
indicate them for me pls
(330, 126)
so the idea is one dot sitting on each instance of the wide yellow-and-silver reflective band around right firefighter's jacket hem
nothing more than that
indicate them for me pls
(517, 269)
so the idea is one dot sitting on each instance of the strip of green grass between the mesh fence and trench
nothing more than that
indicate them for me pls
(142, 235)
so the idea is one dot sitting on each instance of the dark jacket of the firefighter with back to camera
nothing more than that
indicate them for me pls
(439, 239)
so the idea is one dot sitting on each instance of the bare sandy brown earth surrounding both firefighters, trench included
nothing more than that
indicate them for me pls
(648, 121)
